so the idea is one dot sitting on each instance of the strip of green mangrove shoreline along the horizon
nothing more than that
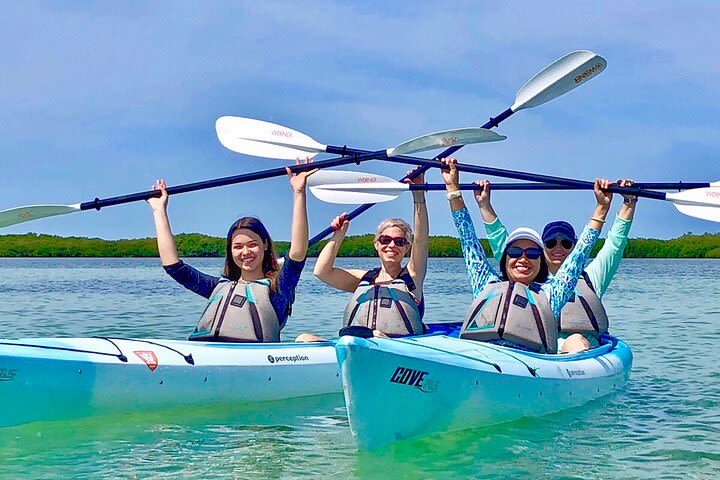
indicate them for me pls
(197, 245)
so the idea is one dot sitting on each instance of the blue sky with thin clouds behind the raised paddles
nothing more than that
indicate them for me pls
(100, 99)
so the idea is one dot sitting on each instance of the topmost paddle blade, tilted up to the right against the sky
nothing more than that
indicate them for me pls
(558, 78)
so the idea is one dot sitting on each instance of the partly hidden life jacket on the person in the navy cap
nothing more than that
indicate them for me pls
(584, 312)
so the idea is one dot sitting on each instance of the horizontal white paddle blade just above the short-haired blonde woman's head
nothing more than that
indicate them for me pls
(346, 187)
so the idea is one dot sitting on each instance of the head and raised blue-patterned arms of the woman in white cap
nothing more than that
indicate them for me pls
(522, 260)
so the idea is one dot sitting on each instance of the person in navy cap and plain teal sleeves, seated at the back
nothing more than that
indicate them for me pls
(583, 319)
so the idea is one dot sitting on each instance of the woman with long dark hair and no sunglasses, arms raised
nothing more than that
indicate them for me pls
(251, 301)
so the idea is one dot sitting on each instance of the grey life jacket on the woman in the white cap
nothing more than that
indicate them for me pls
(512, 312)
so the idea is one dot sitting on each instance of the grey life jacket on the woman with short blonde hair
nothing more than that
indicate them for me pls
(389, 306)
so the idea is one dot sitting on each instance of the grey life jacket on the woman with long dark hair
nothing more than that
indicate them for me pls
(239, 312)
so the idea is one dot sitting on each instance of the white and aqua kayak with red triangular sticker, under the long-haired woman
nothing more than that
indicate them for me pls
(62, 378)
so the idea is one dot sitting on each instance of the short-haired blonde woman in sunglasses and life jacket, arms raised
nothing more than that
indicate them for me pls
(387, 300)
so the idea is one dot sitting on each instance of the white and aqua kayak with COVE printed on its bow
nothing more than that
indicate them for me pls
(403, 388)
